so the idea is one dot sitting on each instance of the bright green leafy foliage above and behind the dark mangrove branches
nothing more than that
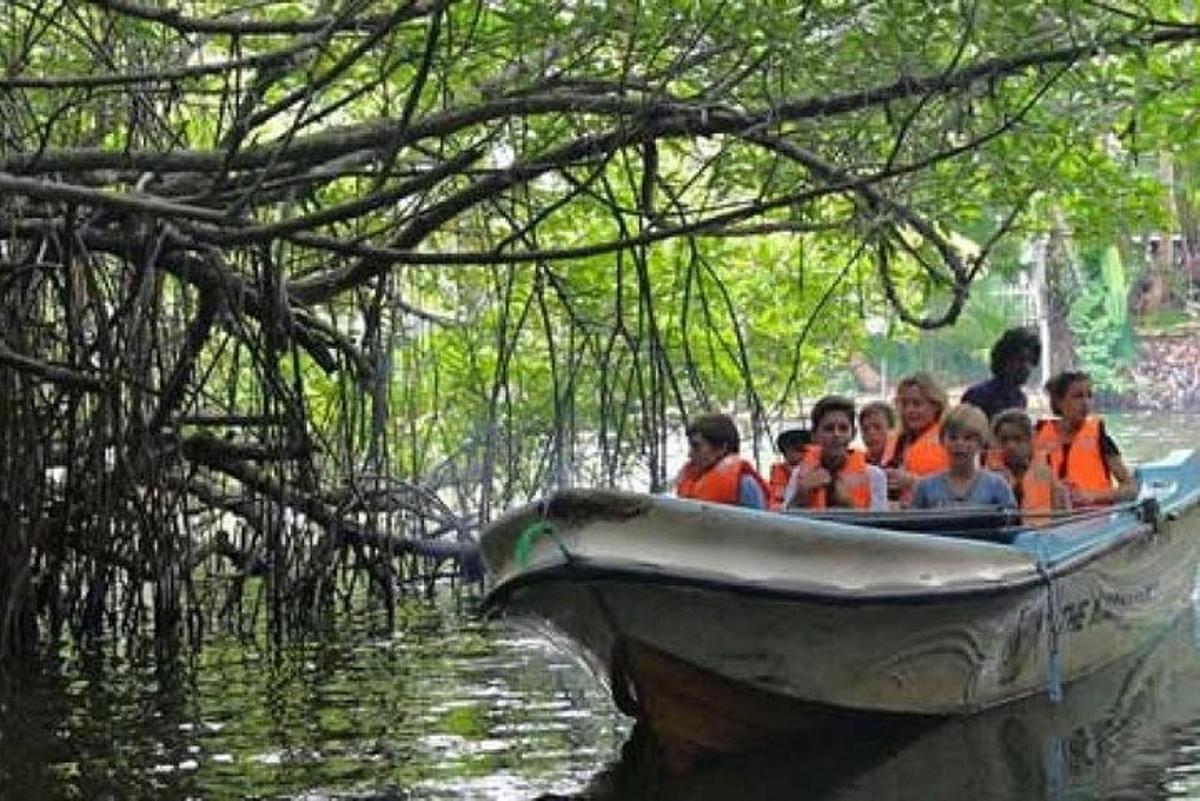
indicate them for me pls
(713, 246)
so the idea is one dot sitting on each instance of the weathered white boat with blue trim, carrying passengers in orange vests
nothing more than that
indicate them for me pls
(725, 629)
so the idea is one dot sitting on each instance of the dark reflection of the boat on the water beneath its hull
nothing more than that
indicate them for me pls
(1130, 732)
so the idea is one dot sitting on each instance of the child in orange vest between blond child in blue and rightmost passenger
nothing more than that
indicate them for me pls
(1029, 473)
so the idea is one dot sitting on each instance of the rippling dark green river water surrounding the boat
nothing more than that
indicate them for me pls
(445, 707)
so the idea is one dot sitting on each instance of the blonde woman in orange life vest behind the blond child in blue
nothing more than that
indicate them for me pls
(919, 448)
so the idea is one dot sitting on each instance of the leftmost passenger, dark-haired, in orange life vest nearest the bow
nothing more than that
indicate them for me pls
(715, 472)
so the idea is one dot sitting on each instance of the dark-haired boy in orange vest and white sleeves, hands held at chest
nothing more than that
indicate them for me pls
(832, 475)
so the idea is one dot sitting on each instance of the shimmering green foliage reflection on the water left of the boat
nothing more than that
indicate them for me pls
(441, 709)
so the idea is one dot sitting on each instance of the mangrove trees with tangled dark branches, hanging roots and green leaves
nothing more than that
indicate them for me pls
(308, 292)
